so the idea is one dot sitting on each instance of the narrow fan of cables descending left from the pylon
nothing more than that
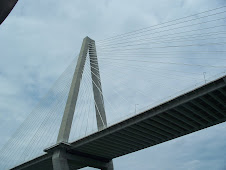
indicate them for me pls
(40, 129)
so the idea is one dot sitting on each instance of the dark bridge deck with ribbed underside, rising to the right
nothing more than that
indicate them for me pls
(198, 109)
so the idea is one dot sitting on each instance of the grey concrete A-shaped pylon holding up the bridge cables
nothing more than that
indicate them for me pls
(59, 156)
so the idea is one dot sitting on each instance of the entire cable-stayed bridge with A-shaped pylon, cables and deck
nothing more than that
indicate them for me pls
(176, 52)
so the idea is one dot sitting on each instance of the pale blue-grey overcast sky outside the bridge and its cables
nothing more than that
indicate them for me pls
(39, 40)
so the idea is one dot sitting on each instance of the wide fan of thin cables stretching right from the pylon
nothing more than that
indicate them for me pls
(146, 67)
